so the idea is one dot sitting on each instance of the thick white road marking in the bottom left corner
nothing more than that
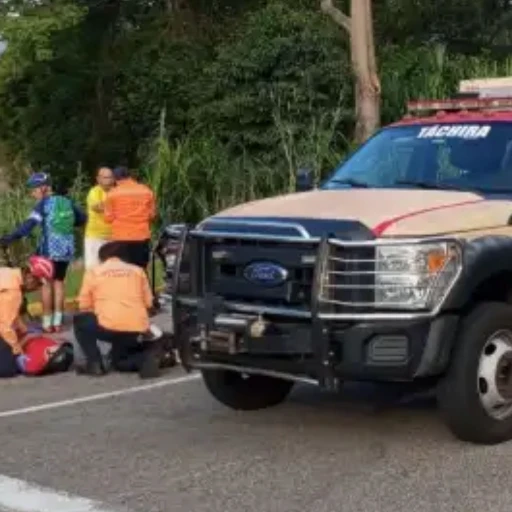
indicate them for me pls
(20, 496)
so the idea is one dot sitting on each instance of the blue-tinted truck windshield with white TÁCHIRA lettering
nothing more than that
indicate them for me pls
(465, 156)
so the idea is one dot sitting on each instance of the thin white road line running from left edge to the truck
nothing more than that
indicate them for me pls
(99, 396)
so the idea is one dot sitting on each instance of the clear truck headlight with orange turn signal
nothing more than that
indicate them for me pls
(415, 276)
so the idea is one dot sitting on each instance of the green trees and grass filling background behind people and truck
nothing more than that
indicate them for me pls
(215, 103)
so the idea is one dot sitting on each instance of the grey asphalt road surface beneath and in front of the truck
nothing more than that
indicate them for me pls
(173, 448)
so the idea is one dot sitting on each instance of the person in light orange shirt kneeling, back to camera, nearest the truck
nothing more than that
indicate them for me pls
(114, 301)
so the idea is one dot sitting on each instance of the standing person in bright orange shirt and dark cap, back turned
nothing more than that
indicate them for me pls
(130, 208)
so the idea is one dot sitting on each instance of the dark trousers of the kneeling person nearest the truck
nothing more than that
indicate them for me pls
(127, 351)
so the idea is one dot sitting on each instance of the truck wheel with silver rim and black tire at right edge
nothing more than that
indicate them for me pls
(475, 396)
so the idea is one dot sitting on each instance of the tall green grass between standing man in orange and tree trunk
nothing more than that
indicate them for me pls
(198, 175)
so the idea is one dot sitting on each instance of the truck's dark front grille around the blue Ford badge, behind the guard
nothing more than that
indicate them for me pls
(348, 281)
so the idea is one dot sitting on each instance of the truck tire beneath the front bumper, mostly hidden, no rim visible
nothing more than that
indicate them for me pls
(247, 393)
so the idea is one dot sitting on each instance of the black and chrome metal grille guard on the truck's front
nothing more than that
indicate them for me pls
(316, 315)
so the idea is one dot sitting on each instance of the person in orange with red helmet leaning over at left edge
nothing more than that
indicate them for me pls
(13, 283)
